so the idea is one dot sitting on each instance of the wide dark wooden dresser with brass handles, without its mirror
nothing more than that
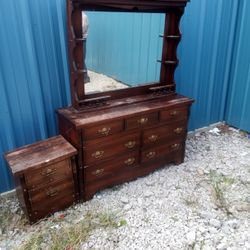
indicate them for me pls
(120, 144)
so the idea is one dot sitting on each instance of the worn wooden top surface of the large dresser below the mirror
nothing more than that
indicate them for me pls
(86, 118)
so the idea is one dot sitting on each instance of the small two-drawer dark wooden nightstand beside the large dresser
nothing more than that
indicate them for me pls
(45, 176)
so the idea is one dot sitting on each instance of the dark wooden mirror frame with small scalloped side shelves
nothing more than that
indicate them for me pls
(173, 10)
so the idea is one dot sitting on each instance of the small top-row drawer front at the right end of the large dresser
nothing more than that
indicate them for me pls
(174, 114)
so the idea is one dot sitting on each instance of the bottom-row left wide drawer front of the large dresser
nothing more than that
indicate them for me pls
(110, 168)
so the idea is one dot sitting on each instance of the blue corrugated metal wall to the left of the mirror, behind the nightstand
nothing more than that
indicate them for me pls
(33, 73)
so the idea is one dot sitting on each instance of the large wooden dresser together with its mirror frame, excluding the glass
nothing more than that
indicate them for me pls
(123, 134)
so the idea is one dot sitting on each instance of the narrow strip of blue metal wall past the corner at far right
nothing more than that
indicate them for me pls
(238, 102)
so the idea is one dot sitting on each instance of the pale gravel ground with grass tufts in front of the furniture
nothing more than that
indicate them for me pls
(203, 203)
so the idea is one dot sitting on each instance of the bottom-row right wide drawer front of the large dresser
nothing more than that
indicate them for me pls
(160, 151)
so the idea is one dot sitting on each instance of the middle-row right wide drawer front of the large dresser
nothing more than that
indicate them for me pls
(157, 134)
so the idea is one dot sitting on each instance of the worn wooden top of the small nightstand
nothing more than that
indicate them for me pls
(43, 152)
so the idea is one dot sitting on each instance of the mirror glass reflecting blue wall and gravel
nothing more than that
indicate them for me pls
(121, 49)
